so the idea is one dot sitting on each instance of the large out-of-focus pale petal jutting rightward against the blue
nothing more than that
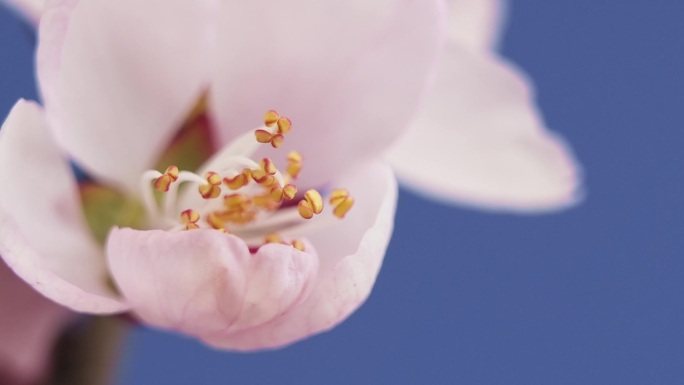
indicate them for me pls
(480, 141)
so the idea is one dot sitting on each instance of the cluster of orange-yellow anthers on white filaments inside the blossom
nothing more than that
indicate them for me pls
(246, 193)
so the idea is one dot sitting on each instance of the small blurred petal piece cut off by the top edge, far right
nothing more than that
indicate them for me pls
(476, 24)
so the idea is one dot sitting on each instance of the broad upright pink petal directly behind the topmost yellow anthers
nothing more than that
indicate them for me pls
(349, 74)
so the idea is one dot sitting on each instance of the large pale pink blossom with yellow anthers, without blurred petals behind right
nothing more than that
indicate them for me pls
(129, 84)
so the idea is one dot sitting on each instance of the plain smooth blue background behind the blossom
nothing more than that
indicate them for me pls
(593, 295)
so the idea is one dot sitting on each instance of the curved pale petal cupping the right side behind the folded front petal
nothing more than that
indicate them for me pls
(351, 253)
